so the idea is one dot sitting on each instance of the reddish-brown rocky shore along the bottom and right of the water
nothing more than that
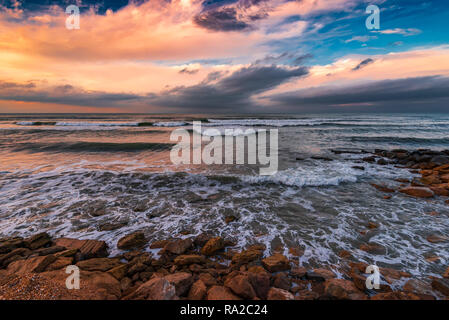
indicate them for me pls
(207, 267)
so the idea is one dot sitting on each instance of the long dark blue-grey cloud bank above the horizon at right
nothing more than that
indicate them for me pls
(394, 95)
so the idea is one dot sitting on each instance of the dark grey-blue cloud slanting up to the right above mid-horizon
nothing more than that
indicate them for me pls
(233, 92)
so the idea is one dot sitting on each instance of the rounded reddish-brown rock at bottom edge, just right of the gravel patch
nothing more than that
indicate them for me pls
(154, 289)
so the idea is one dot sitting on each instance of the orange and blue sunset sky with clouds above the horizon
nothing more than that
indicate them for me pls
(224, 56)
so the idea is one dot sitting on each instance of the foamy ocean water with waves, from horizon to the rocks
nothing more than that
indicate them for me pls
(102, 176)
